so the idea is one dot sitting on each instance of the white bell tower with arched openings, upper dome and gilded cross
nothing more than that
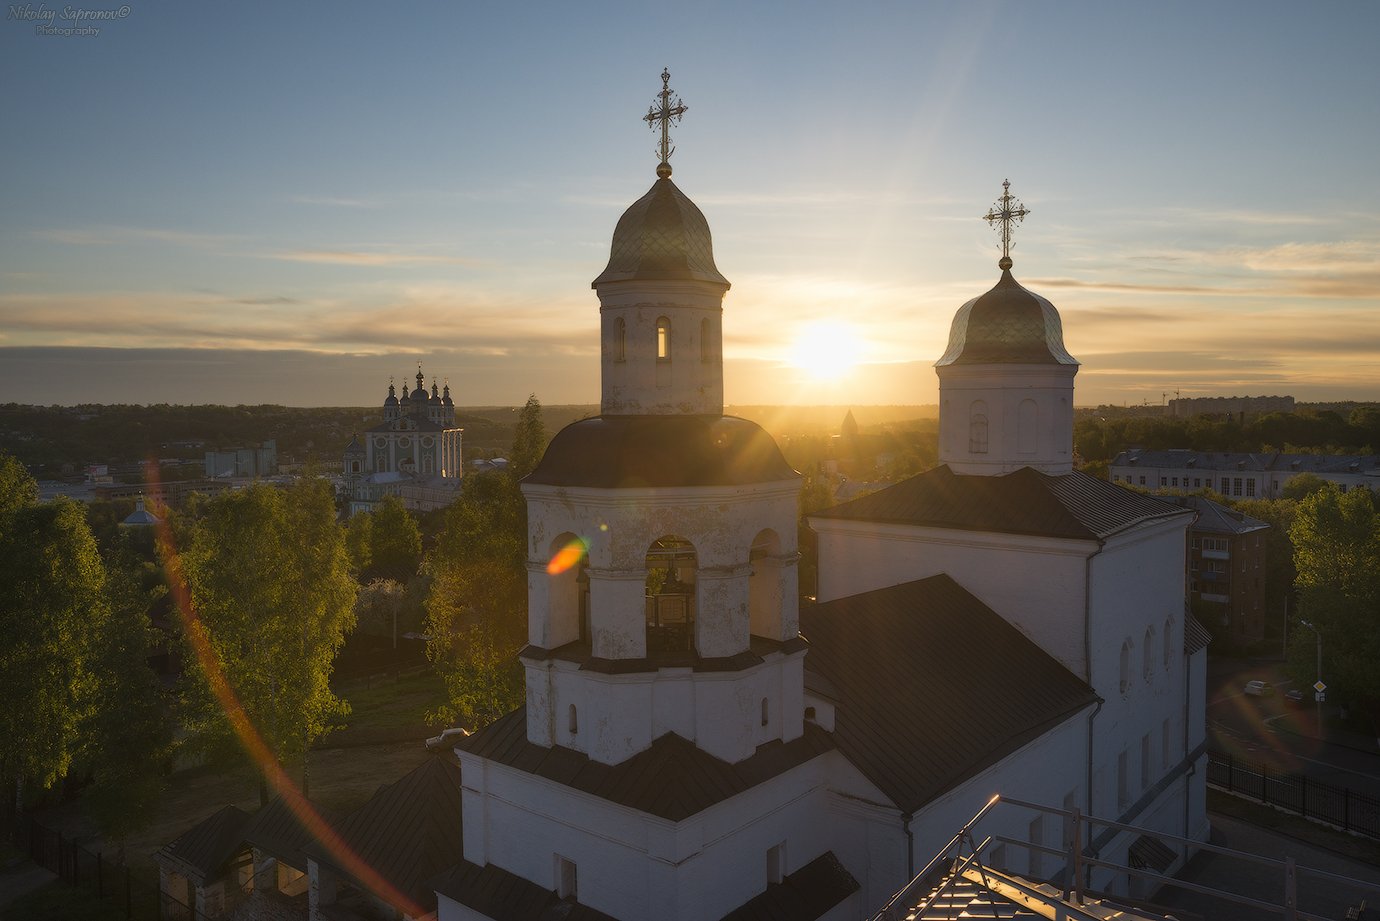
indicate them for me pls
(663, 592)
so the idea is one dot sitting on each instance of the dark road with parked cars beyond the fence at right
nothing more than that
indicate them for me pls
(1283, 734)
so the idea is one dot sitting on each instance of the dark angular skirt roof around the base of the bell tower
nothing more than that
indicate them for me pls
(673, 779)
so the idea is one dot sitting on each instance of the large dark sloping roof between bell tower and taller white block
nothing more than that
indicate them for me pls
(934, 686)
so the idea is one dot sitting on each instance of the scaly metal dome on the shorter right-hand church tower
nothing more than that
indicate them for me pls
(1009, 325)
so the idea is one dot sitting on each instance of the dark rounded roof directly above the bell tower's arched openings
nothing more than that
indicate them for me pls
(612, 452)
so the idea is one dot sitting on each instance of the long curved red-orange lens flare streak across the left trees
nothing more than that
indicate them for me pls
(253, 742)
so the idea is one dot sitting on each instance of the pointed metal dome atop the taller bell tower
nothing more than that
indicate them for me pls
(663, 237)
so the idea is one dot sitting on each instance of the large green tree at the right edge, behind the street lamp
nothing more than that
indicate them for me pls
(1337, 541)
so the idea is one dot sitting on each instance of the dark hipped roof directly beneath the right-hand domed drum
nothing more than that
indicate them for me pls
(1025, 502)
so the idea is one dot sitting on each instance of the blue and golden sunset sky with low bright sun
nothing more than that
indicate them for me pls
(292, 204)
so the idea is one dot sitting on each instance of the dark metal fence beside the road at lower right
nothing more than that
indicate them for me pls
(1341, 807)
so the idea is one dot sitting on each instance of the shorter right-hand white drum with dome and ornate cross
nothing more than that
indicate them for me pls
(1007, 382)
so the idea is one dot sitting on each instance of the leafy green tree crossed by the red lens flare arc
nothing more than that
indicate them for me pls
(271, 599)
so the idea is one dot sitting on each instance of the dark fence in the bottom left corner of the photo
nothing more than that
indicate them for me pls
(133, 894)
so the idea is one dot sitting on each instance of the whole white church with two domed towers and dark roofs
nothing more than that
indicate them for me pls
(698, 745)
